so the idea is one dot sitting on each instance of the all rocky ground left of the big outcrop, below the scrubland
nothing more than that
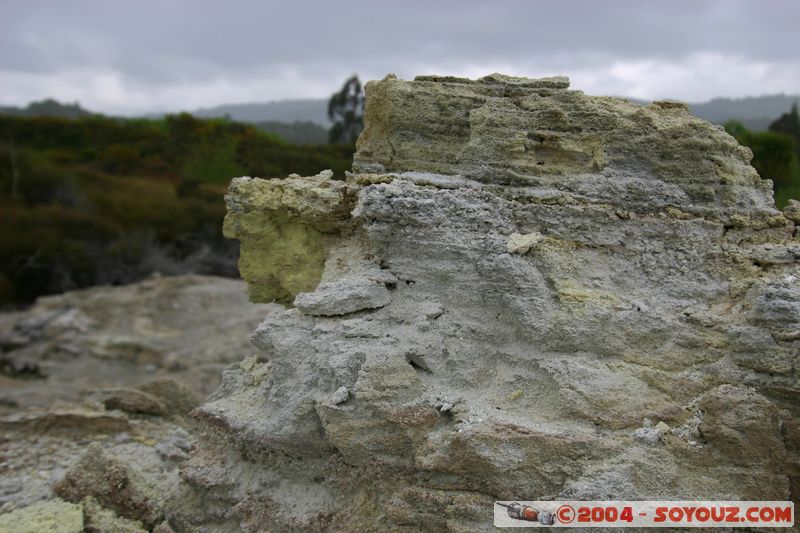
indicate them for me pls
(110, 372)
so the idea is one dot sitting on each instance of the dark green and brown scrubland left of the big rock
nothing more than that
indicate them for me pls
(99, 200)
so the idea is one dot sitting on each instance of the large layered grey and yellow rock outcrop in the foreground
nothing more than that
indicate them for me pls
(522, 292)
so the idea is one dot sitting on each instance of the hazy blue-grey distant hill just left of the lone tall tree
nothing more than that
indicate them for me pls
(286, 111)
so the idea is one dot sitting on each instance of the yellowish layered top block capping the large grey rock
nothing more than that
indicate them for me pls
(501, 129)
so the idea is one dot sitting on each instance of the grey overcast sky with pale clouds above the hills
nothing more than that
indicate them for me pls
(136, 56)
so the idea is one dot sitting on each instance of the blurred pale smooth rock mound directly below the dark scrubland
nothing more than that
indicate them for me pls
(184, 328)
